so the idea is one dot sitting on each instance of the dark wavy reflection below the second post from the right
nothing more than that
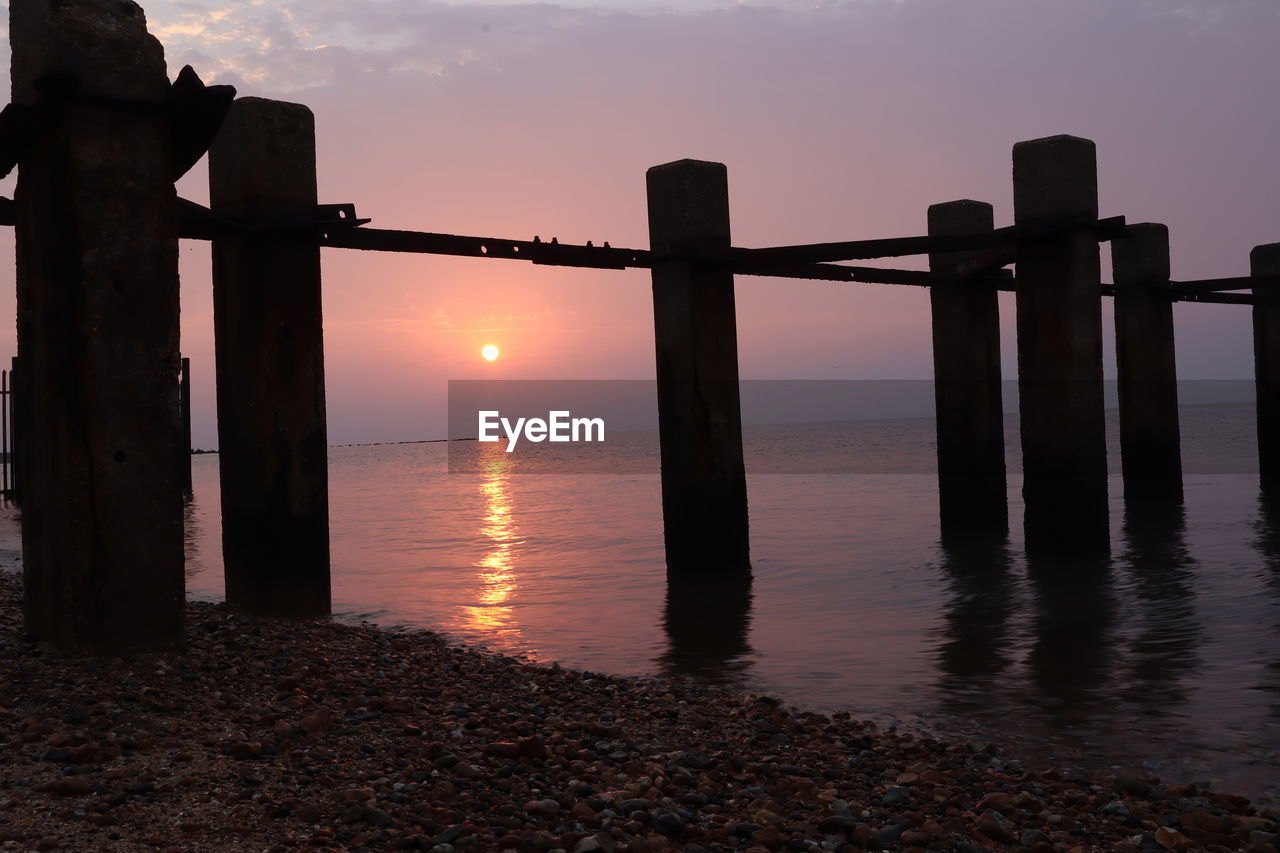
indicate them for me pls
(1163, 574)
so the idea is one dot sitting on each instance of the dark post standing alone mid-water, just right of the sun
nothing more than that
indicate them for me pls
(700, 414)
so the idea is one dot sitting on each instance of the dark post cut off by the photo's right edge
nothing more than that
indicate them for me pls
(1265, 261)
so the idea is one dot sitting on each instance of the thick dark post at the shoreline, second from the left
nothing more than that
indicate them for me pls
(269, 349)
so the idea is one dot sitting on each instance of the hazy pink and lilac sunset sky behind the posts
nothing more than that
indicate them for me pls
(836, 121)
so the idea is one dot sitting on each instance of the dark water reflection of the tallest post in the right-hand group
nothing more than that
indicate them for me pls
(1073, 653)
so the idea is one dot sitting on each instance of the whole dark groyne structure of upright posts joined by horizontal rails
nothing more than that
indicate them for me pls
(100, 135)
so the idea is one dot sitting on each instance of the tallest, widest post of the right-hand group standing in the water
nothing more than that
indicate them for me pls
(1060, 346)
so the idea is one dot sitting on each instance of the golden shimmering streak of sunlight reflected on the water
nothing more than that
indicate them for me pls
(492, 610)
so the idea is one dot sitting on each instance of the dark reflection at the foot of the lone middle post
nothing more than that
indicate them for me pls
(707, 623)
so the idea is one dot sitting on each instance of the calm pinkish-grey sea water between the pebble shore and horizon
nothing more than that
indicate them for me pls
(1167, 658)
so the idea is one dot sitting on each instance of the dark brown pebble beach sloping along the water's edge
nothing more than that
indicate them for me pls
(275, 736)
